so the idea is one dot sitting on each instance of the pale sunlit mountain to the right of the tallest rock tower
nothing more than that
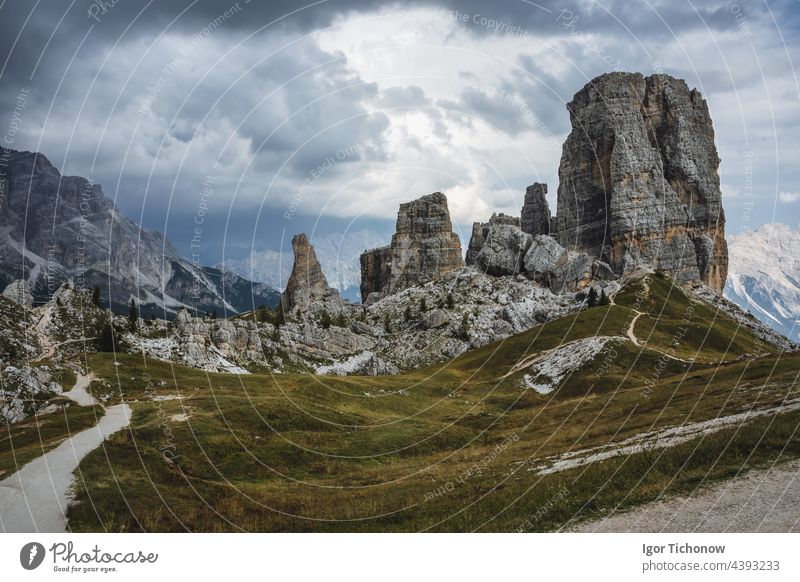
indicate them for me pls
(764, 276)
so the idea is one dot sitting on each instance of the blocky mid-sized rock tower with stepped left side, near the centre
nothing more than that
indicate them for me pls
(423, 247)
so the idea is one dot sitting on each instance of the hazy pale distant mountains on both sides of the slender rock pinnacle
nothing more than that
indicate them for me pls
(338, 254)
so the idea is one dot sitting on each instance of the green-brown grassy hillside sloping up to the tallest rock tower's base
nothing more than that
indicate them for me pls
(679, 393)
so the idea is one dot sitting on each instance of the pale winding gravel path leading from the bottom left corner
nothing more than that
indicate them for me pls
(35, 498)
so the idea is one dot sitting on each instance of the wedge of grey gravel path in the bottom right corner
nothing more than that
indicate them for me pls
(762, 500)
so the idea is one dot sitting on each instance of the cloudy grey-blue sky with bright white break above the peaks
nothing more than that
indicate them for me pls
(323, 117)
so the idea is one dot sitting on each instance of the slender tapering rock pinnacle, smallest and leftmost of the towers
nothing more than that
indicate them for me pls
(307, 283)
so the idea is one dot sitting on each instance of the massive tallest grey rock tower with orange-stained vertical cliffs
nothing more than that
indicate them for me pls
(638, 181)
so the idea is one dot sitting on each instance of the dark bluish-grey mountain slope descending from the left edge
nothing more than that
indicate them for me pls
(55, 228)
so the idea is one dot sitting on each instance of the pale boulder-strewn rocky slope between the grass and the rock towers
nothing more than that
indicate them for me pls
(463, 309)
